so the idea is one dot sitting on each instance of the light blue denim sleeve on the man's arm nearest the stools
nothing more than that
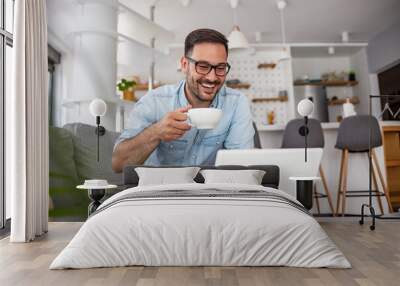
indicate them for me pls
(241, 131)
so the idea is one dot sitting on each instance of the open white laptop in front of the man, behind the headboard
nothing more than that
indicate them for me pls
(290, 162)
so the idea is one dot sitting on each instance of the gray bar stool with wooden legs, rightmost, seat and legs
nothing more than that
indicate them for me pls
(353, 137)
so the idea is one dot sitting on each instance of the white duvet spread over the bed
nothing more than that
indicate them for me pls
(185, 231)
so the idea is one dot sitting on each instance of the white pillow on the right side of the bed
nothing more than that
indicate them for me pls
(248, 177)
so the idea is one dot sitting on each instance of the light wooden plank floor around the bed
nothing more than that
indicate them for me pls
(374, 255)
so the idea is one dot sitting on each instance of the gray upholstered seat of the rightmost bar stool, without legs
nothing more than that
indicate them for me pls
(353, 133)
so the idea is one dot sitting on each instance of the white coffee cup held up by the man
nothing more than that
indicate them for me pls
(204, 118)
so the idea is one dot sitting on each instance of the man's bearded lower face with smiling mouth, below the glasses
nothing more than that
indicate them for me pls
(202, 89)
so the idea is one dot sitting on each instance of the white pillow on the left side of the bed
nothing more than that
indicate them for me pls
(164, 176)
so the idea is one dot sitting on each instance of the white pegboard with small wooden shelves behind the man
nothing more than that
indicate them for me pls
(264, 83)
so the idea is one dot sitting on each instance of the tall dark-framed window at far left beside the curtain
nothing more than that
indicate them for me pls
(6, 43)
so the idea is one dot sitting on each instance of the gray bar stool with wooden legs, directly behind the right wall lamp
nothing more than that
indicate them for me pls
(315, 139)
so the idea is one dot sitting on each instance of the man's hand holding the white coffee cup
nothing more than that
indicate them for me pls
(173, 125)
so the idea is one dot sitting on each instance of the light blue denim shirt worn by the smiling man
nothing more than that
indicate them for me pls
(195, 147)
